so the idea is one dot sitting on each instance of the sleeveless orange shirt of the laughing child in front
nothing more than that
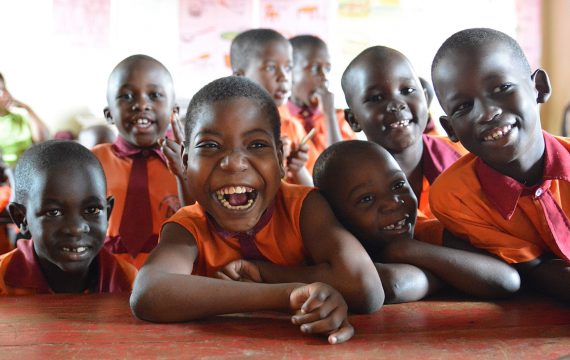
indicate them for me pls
(278, 240)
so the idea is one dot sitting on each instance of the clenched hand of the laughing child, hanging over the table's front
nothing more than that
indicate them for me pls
(321, 310)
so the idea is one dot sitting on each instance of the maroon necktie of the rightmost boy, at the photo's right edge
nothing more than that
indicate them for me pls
(557, 221)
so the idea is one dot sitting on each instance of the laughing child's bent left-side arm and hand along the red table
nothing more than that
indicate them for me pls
(166, 291)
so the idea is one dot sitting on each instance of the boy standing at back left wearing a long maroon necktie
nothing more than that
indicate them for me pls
(140, 97)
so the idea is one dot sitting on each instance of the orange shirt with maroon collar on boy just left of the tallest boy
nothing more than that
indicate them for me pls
(438, 154)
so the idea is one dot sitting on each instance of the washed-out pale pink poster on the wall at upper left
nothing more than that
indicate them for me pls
(82, 23)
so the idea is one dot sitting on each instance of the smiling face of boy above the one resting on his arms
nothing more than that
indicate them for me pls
(387, 100)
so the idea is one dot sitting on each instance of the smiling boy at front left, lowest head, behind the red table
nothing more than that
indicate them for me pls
(60, 202)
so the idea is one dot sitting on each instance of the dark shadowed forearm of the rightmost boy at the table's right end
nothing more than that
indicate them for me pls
(548, 275)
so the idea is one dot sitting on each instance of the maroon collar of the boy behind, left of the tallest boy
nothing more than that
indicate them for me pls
(437, 156)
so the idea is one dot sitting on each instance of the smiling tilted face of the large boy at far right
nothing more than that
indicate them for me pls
(491, 103)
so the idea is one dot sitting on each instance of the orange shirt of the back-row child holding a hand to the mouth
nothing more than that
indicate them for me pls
(315, 118)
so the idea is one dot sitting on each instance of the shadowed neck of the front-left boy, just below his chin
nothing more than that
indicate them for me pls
(60, 281)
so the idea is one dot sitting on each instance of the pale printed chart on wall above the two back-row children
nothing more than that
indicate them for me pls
(294, 17)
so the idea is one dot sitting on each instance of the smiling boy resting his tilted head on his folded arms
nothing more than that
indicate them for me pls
(372, 198)
